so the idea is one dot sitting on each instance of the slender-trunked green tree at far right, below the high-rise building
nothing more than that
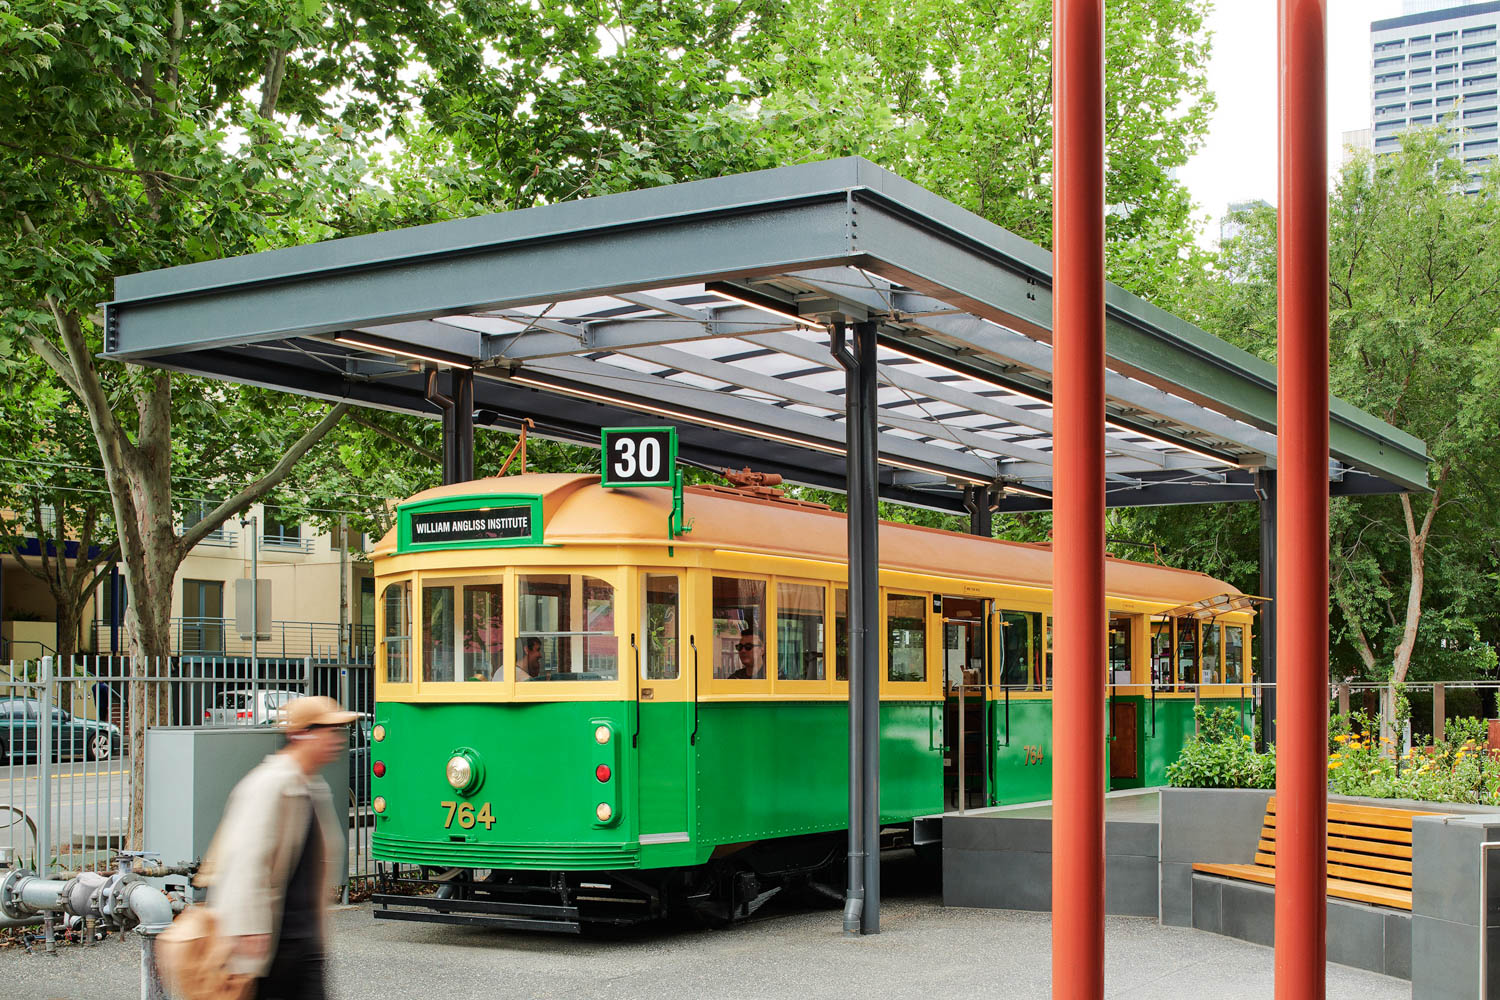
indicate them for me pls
(1412, 338)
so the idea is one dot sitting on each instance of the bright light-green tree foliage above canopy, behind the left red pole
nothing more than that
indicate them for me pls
(956, 95)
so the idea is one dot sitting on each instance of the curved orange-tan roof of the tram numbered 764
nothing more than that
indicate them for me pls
(578, 512)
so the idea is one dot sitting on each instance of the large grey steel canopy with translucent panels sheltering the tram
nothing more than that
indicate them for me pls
(709, 305)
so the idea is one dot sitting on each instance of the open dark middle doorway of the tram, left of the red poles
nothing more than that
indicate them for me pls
(967, 683)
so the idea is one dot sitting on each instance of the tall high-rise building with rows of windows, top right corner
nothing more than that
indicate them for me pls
(1438, 65)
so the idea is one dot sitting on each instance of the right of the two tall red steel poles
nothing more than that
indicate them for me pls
(1303, 503)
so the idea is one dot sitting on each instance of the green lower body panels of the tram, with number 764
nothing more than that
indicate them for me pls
(757, 771)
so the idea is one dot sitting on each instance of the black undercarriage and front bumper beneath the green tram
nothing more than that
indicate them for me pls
(733, 887)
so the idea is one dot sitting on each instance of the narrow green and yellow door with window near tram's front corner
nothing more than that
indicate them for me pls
(665, 660)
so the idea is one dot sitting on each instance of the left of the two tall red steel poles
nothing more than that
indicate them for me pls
(1078, 316)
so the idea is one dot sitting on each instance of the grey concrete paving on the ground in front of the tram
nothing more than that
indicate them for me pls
(925, 953)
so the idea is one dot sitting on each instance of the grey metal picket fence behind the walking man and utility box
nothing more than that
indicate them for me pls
(67, 788)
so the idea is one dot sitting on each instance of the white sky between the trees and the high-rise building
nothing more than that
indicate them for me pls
(1238, 161)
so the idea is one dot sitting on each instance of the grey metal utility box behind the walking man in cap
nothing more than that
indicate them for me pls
(190, 774)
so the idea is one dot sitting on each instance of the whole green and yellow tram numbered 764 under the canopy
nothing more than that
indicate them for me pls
(583, 719)
